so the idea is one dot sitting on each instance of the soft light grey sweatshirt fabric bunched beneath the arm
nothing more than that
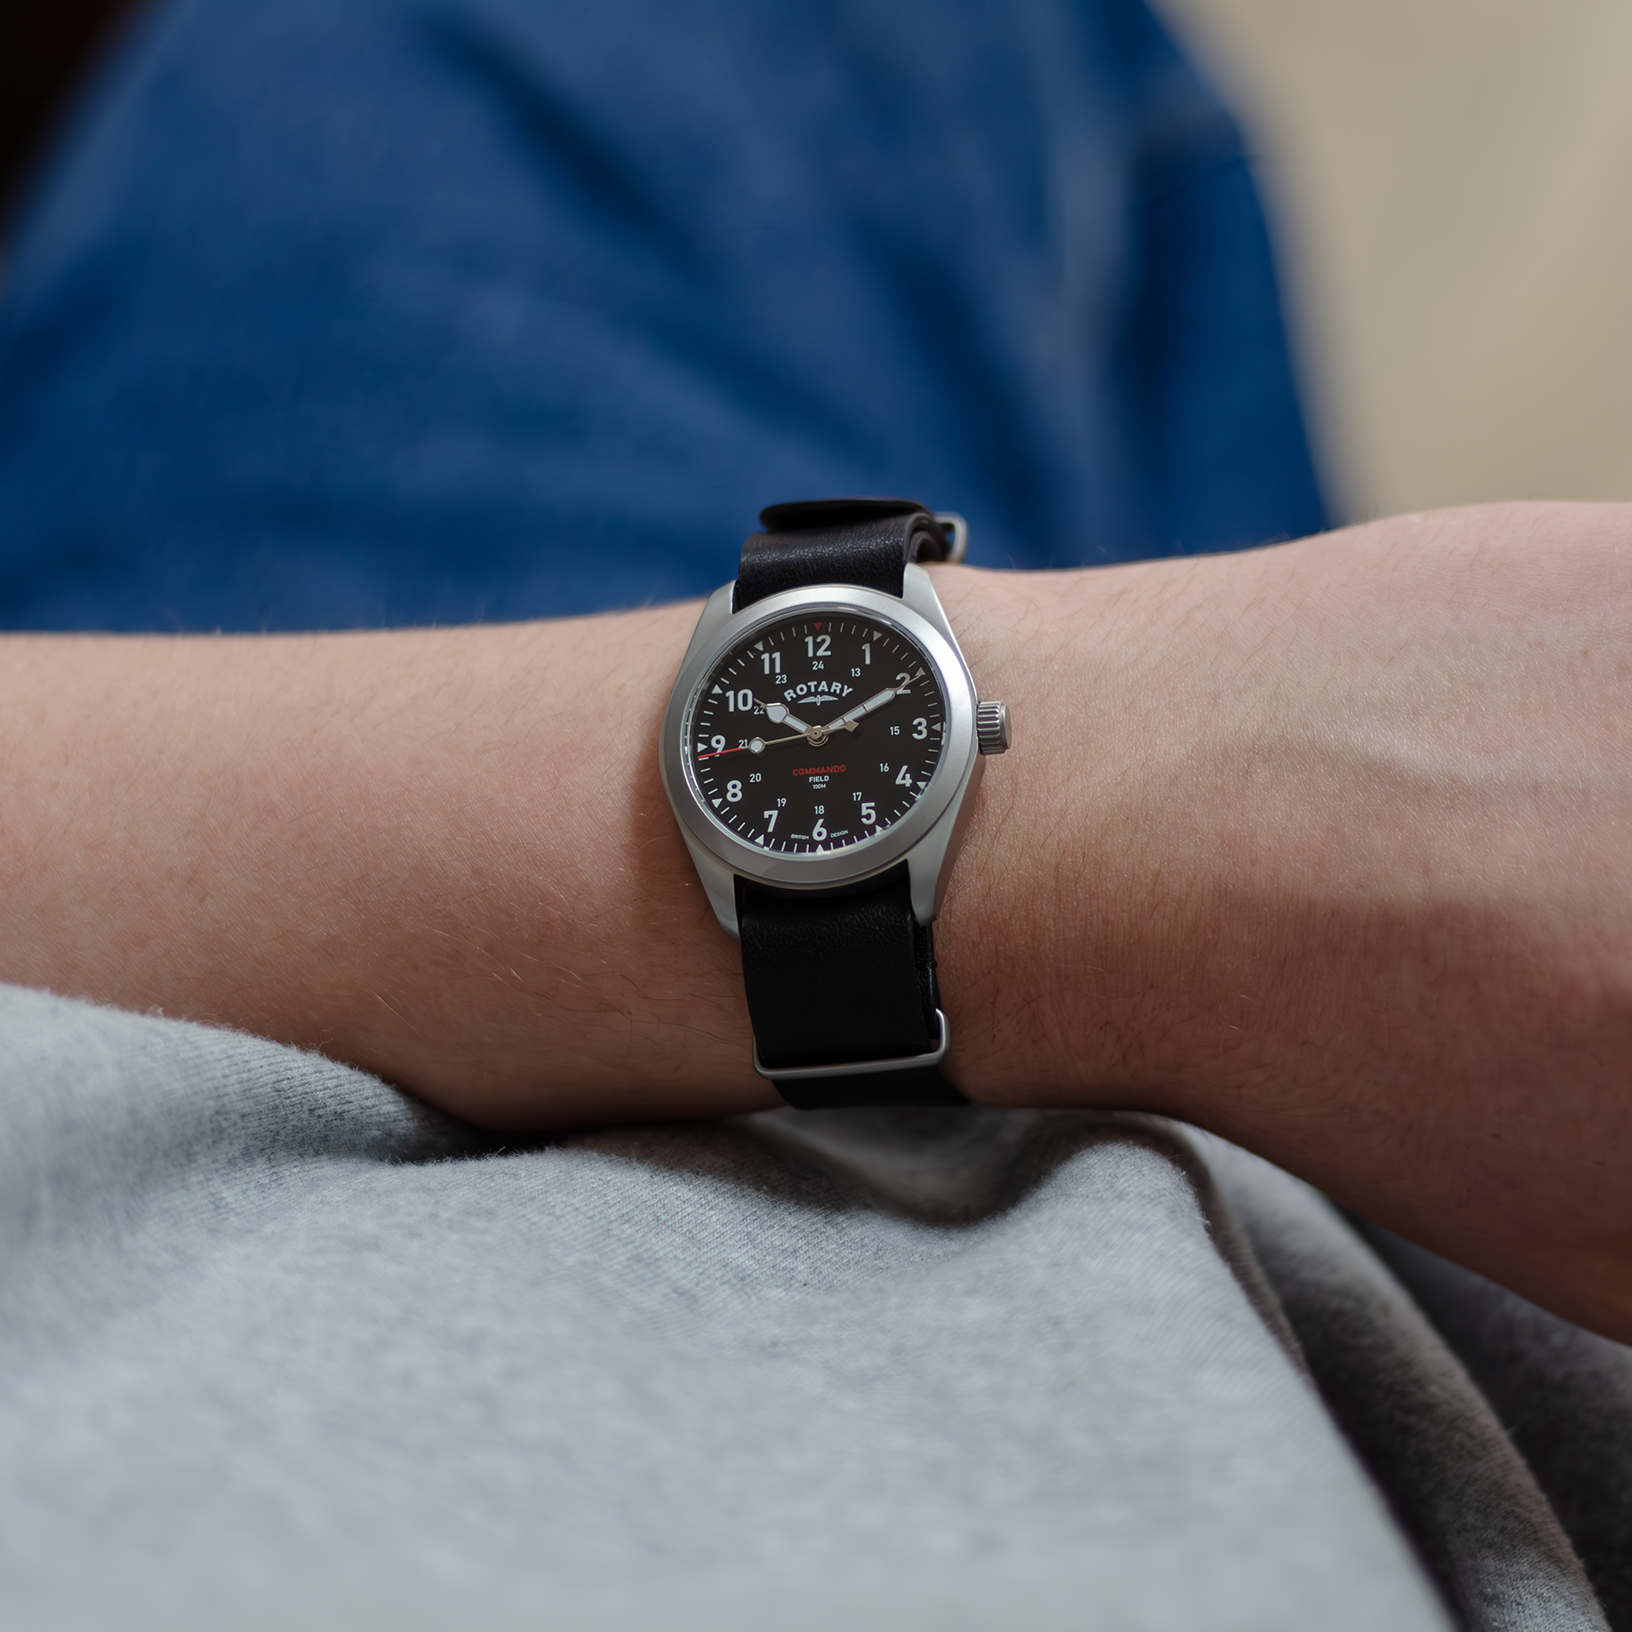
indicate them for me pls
(283, 1347)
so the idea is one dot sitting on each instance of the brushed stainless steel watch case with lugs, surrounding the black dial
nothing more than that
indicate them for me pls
(928, 838)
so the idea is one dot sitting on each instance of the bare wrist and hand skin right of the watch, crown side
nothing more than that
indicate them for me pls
(1334, 866)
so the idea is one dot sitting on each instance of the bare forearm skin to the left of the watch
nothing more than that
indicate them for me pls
(443, 856)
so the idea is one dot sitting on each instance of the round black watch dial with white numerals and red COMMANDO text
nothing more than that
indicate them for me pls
(817, 734)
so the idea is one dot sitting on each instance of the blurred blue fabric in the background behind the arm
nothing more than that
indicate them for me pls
(365, 313)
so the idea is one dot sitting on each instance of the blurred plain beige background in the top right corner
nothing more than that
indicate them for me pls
(1452, 190)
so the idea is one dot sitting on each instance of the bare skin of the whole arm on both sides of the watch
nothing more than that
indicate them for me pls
(1326, 848)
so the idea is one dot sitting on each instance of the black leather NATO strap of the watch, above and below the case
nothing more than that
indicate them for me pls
(845, 977)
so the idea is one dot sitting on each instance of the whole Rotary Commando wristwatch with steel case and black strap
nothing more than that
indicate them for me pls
(822, 752)
